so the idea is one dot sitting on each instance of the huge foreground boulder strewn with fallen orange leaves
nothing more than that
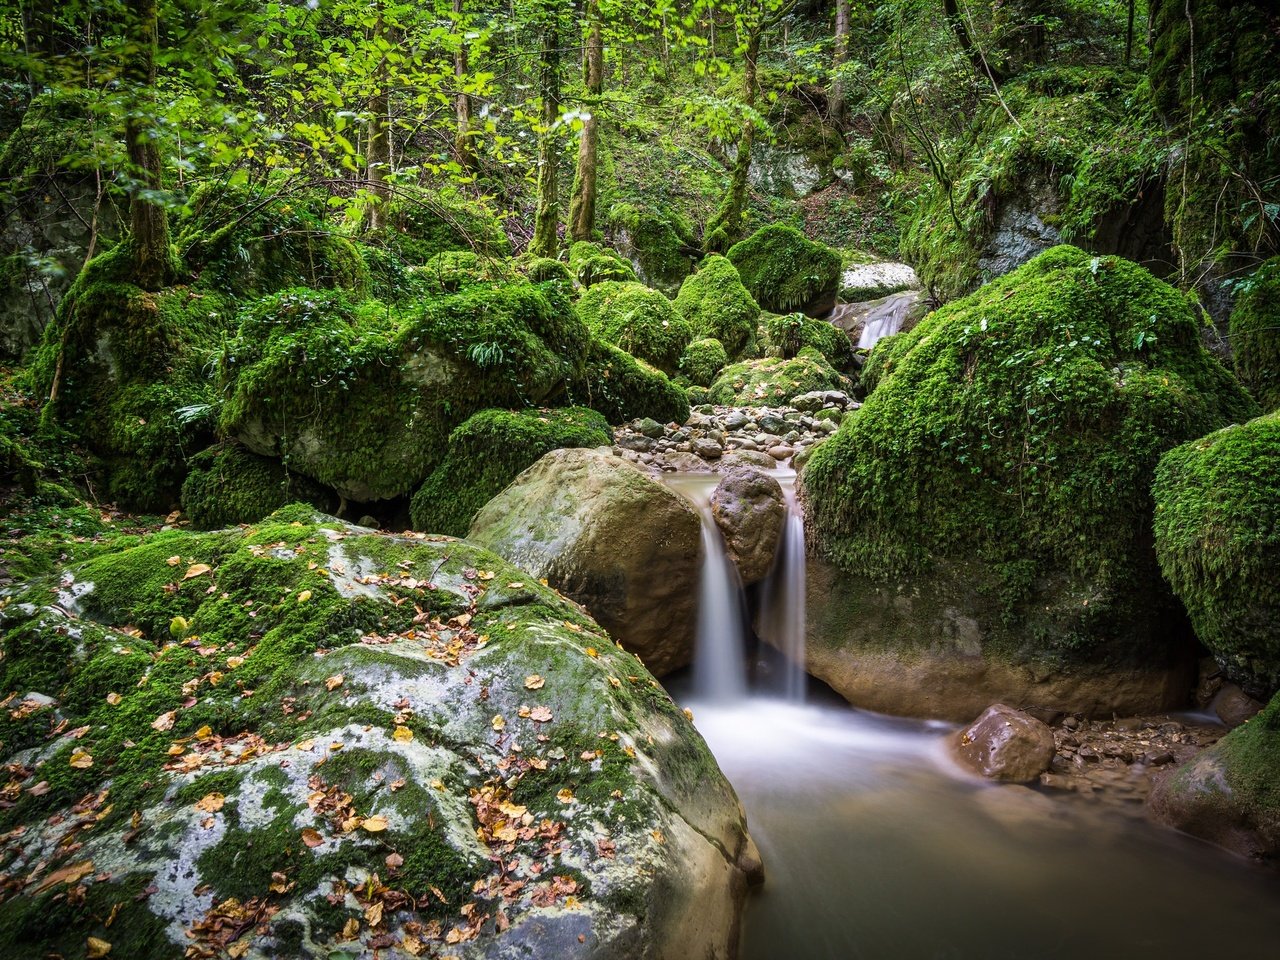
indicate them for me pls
(310, 740)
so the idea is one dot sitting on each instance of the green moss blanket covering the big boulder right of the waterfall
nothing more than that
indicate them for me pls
(1023, 424)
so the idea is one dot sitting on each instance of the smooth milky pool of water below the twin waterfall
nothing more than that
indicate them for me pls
(876, 847)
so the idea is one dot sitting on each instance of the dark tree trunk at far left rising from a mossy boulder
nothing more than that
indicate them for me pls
(153, 259)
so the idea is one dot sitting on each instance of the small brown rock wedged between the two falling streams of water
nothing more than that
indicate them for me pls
(749, 511)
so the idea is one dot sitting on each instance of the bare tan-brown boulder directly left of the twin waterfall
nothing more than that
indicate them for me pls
(611, 538)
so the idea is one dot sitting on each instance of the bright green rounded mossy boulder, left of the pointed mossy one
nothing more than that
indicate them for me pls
(639, 321)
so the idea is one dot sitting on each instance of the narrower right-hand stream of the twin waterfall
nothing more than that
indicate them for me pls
(783, 612)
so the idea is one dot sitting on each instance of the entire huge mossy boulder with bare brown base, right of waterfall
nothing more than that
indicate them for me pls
(988, 513)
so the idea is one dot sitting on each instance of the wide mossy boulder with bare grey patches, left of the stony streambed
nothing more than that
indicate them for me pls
(363, 399)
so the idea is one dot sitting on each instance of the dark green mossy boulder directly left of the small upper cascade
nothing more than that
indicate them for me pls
(785, 271)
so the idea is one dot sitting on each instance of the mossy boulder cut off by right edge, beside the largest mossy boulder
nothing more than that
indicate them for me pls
(1218, 538)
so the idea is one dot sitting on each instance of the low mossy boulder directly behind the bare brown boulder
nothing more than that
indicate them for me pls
(488, 452)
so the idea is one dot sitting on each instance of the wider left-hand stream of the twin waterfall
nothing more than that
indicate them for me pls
(720, 671)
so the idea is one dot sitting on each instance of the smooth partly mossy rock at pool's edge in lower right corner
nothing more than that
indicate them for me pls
(1231, 793)
